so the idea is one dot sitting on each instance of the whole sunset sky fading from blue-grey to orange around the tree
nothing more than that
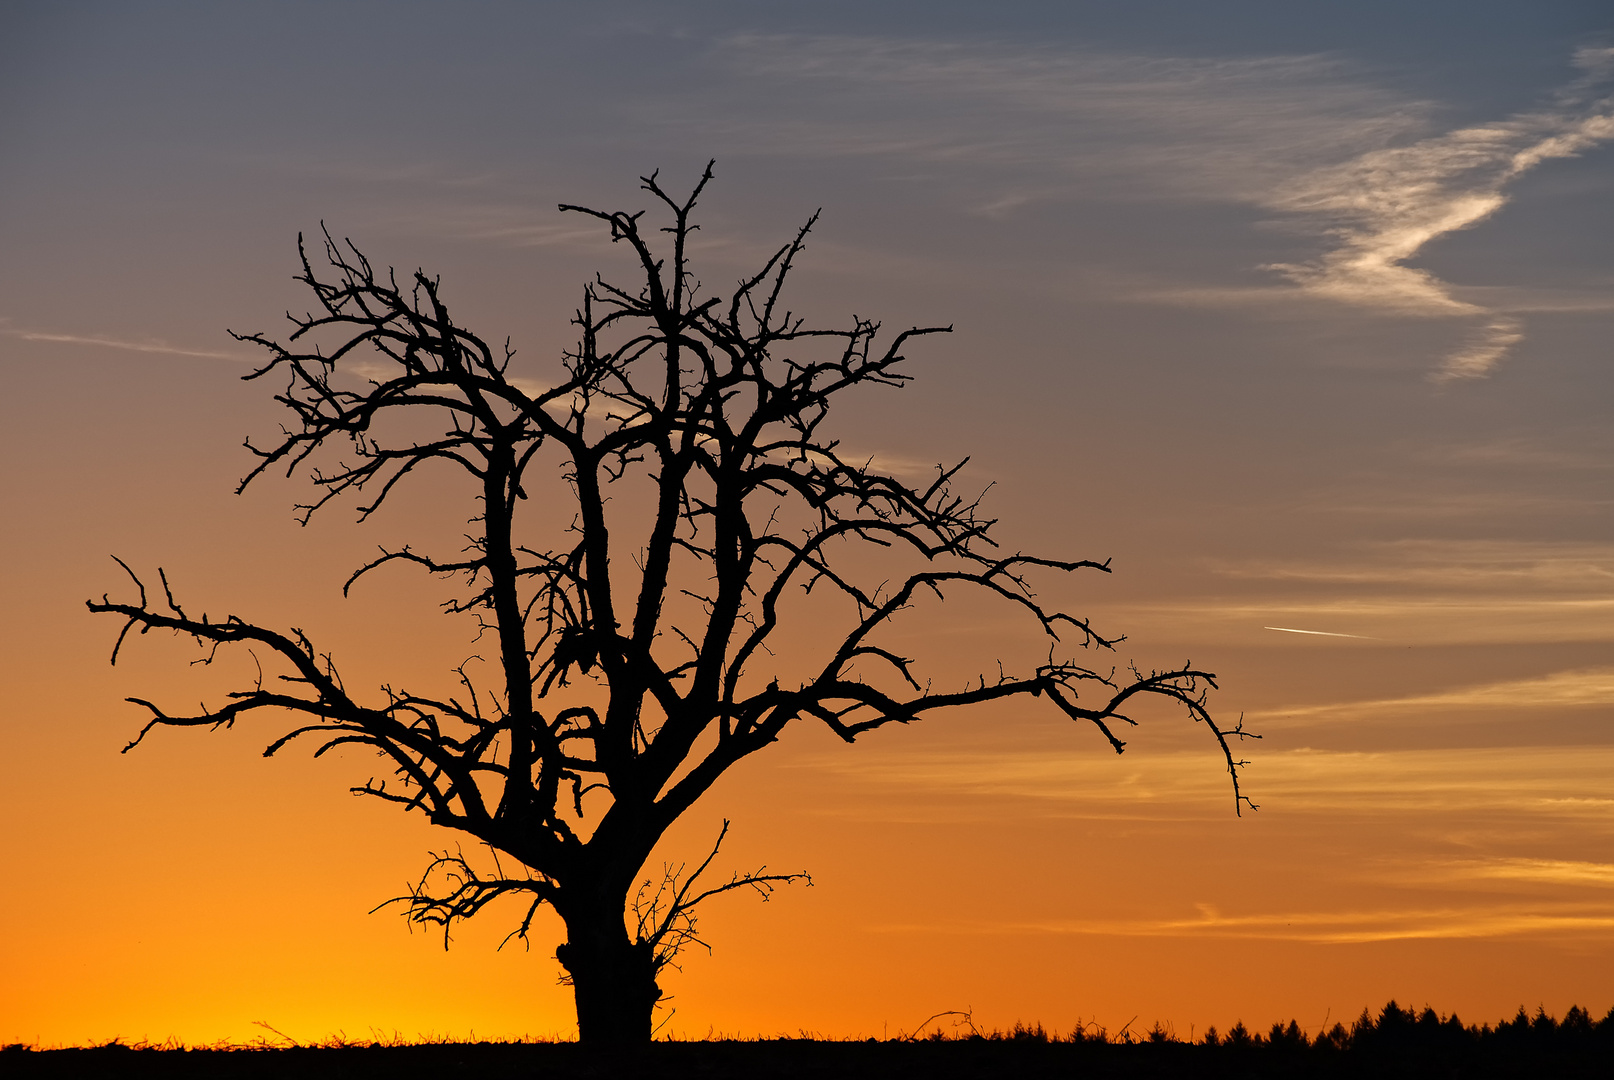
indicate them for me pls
(1300, 312)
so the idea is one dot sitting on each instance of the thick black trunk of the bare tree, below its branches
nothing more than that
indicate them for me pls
(614, 981)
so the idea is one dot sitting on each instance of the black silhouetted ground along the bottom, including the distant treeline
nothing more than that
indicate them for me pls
(1395, 1044)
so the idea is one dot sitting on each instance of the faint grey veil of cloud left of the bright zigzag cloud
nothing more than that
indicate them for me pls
(1198, 128)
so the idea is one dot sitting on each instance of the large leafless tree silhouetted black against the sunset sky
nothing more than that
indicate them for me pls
(688, 437)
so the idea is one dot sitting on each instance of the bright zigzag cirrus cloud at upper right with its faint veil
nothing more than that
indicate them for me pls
(1337, 159)
